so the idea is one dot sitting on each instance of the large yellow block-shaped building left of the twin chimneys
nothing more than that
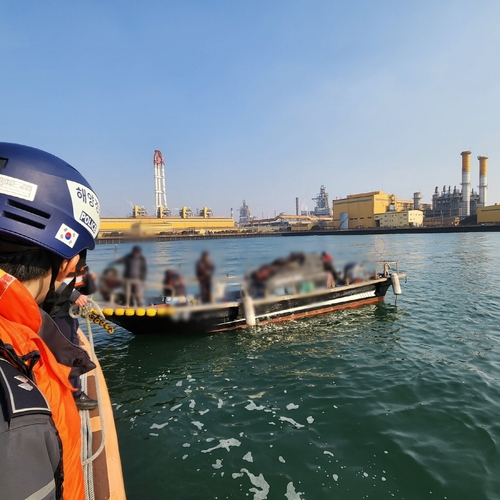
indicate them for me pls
(359, 210)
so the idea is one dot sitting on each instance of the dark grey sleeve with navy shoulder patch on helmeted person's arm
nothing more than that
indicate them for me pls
(30, 458)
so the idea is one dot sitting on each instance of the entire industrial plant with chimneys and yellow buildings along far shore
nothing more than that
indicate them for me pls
(374, 209)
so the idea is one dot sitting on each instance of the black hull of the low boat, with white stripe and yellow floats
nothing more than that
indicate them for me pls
(180, 320)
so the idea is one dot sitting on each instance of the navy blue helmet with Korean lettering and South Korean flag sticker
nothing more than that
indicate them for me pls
(45, 202)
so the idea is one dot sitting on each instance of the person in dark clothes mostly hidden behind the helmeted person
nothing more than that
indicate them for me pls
(74, 290)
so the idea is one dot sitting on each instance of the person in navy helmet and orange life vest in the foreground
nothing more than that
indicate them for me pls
(49, 217)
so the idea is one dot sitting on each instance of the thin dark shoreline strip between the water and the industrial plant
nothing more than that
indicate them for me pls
(327, 232)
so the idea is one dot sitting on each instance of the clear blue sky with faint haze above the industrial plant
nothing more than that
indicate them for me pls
(262, 101)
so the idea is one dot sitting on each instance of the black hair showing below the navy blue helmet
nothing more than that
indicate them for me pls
(28, 266)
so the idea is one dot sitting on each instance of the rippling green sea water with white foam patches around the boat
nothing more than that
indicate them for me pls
(395, 400)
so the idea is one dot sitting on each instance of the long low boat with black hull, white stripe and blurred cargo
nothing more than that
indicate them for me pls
(299, 292)
